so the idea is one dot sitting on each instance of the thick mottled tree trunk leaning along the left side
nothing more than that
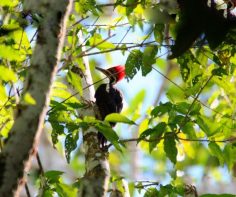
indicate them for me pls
(29, 119)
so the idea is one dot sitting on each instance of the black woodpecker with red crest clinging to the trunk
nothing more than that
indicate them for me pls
(108, 98)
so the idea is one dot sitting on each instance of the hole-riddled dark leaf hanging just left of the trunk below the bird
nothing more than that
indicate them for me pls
(70, 144)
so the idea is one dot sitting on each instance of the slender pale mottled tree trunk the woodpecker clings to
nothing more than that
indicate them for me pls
(96, 178)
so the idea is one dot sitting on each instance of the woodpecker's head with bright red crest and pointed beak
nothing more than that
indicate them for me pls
(115, 73)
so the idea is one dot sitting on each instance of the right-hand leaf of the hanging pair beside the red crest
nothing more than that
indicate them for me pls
(149, 59)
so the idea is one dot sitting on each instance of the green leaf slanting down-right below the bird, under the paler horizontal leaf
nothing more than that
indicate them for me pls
(109, 134)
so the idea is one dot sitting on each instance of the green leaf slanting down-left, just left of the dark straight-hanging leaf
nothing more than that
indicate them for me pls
(158, 131)
